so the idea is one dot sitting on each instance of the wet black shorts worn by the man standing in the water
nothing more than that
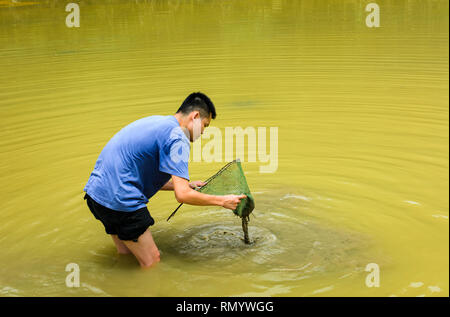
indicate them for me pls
(127, 225)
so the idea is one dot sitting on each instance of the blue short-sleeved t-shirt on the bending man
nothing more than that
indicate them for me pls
(137, 162)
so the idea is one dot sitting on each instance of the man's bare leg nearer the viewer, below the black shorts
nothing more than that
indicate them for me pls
(145, 249)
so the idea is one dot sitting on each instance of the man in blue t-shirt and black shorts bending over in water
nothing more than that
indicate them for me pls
(148, 155)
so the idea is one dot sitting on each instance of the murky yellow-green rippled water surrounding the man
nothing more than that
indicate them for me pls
(363, 156)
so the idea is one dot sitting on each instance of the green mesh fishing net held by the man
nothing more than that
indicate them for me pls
(230, 180)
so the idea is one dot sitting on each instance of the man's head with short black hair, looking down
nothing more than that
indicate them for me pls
(195, 114)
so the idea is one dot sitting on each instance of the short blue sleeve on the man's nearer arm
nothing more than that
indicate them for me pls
(174, 155)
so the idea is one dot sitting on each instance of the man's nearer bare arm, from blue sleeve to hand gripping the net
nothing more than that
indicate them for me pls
(185, 194)
